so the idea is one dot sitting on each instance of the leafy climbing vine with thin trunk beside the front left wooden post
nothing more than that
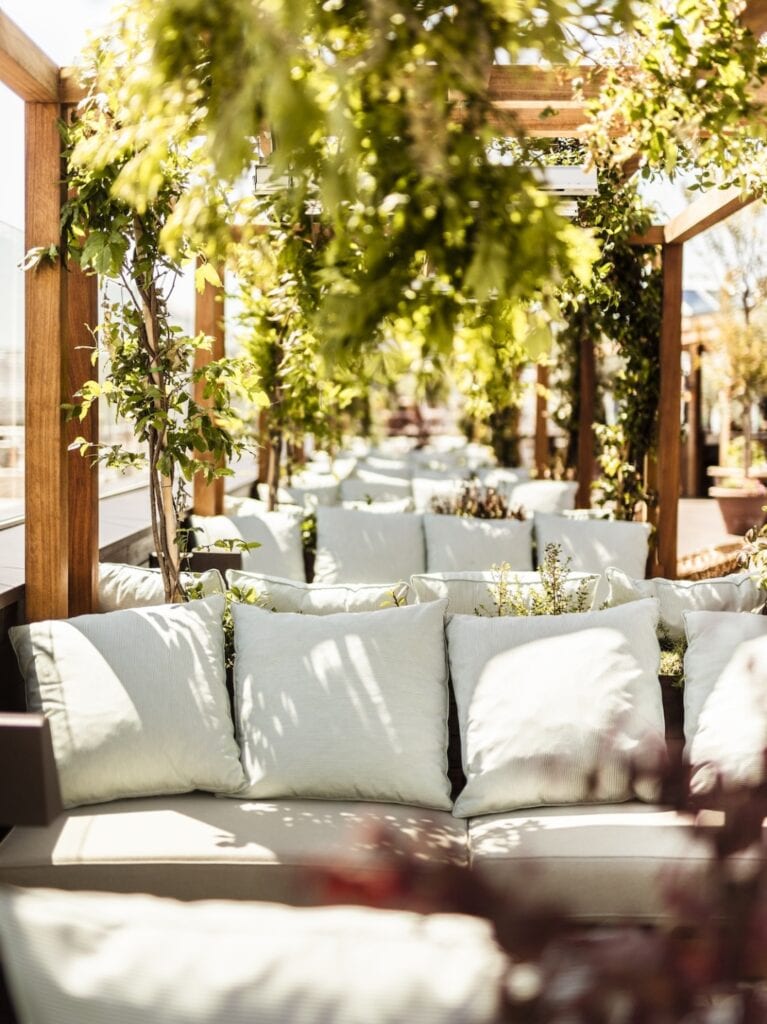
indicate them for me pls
(150, 373)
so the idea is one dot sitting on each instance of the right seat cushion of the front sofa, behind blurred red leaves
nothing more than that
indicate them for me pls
(606, 863)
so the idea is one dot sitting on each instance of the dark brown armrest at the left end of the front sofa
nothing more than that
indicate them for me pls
(30, 794)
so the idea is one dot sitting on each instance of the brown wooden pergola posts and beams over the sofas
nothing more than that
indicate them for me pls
(62, 490)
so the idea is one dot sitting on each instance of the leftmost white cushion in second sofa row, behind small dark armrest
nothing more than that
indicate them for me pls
(279, 534)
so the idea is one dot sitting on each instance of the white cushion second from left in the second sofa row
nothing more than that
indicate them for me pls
(357, 546)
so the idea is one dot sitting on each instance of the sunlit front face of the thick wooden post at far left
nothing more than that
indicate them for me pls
(47, 539)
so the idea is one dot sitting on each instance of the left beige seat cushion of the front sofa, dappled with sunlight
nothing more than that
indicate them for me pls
(200, 847)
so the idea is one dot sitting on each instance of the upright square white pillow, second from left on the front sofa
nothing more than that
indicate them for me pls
(347, 707)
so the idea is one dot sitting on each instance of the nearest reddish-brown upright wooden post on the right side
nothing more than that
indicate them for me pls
(669, 429)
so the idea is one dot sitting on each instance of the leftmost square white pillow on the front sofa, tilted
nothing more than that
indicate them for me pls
(137, 701)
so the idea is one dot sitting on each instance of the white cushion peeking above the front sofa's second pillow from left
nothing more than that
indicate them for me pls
(319, 599)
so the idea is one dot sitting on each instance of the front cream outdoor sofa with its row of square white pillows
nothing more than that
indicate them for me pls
(343, 752)
